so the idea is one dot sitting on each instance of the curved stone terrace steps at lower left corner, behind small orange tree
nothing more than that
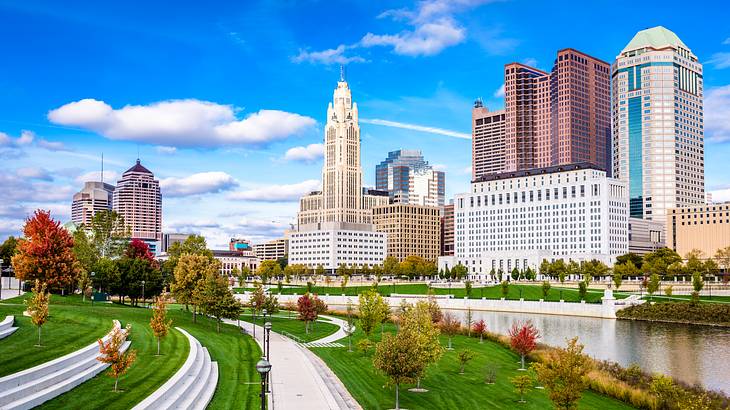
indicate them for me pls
(31, 387)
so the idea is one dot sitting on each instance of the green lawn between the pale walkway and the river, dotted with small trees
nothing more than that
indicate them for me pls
(447, 388)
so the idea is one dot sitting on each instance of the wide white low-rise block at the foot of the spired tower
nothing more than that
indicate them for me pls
(334, 244)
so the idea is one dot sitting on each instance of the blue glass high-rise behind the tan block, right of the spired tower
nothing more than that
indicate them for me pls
(409, 179)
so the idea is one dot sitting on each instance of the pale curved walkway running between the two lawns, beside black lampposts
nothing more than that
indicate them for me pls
(300, 379)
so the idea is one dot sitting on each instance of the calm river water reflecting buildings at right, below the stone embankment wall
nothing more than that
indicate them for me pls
(693, 354)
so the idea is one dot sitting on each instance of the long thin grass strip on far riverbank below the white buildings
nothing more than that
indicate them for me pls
(528, 292)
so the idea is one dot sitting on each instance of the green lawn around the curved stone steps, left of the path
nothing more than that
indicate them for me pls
(74, 324)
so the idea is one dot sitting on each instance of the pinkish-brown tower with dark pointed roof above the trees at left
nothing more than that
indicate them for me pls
(138, 200)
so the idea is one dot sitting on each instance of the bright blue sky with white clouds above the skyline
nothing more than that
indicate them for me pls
(225, 102)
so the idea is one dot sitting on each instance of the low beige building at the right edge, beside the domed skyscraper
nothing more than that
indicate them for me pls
(702, 227)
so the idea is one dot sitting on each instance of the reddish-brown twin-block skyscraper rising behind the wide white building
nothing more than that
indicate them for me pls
(560, 117)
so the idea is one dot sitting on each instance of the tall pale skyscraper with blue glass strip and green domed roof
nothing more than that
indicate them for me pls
(658, 137)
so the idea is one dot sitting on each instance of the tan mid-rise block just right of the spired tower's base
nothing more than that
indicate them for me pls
(410, 229)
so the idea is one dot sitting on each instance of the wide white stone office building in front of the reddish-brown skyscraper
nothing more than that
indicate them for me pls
(517, 219)
